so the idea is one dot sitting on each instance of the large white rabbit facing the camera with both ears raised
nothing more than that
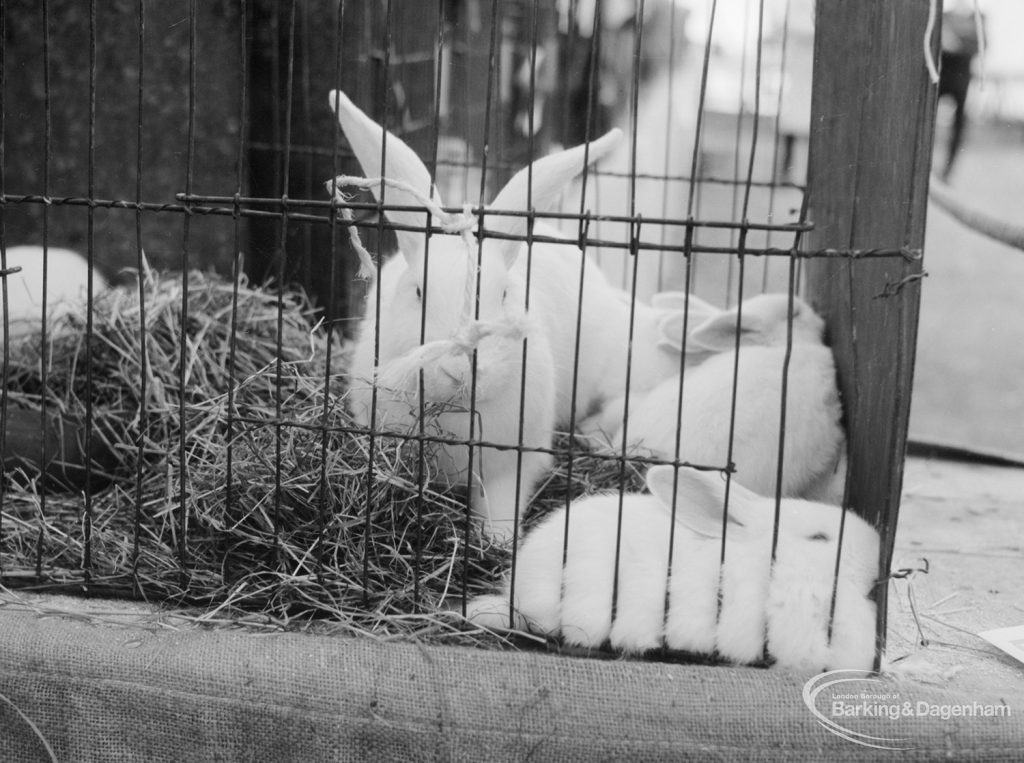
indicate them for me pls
(442, 288)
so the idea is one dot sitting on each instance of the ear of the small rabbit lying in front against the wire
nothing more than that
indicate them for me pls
(700, 500)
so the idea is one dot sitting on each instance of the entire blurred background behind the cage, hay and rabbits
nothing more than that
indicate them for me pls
(242, 109)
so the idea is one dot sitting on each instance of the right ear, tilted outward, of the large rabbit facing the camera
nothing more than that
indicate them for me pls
(539, 187)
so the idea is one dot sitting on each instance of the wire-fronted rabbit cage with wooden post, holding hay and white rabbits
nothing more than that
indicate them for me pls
(192, 440)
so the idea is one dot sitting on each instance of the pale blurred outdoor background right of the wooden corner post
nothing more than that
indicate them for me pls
(969, 383)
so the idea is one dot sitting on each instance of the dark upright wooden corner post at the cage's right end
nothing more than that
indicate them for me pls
(871, 144)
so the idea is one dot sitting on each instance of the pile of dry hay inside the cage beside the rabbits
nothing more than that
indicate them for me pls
(196, 512)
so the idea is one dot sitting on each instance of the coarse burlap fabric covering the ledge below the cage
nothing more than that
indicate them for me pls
(140, 692)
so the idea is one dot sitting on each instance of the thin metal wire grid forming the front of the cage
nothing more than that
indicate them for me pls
(243, 207)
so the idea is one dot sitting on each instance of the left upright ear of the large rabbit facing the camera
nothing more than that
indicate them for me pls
(367, 140)
